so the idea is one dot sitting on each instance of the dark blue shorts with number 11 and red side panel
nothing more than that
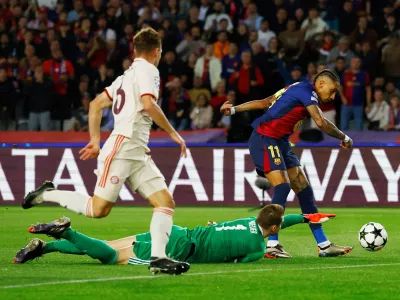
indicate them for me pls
(270, 154)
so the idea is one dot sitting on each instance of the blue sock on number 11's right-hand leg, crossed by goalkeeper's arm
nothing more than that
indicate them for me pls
(308, 206)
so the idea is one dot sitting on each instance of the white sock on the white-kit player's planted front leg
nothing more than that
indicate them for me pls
(160, 230)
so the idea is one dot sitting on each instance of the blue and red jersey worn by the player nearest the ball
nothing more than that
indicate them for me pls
(288, 111)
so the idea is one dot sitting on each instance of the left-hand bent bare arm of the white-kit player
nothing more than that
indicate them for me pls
(92, 149)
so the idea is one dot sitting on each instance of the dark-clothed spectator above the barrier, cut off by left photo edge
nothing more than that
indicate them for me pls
(7, 102)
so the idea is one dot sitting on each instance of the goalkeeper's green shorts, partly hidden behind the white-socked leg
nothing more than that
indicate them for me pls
(179, 247)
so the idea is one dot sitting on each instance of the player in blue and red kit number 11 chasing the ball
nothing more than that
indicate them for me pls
(272, 155)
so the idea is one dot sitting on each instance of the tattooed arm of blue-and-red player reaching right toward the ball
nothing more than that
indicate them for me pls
(328, 127)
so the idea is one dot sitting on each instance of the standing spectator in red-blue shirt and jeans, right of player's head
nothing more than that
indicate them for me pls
(356, 93)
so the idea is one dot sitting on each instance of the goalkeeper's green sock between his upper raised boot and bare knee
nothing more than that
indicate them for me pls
(93, 247)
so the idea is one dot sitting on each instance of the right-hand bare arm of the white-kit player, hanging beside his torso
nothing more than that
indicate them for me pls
(158, 116)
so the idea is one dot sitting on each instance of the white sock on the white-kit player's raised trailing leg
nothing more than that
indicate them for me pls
(74, 201)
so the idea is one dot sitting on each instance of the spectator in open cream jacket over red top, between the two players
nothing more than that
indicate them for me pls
(209, 68)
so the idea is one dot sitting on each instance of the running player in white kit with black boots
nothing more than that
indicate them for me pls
(124, 156)
